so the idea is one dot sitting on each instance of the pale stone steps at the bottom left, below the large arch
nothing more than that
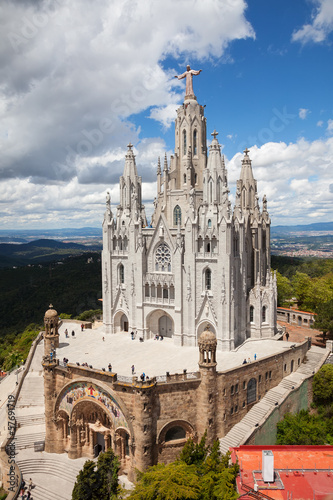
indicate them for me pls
(58, 472)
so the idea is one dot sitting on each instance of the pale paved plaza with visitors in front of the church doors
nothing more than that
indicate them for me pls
(154, 357)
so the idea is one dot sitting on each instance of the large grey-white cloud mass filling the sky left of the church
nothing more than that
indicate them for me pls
(74, 74)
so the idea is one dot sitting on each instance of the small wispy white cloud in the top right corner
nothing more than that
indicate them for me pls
(321, 26)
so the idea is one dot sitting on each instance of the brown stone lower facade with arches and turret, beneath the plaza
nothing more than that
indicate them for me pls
(88, 411)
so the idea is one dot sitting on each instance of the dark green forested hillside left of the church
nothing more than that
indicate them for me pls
(72, 285)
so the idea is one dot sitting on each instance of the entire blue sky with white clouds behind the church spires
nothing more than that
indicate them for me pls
(79, 81)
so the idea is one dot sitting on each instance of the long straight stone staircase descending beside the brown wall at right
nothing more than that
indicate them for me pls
(240, 432)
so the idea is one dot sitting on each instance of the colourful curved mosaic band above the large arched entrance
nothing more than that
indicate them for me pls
(83, 391)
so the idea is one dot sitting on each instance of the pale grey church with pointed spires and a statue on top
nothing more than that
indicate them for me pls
(200, 262)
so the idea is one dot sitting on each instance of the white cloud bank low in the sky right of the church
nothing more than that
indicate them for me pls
(296, 178)
